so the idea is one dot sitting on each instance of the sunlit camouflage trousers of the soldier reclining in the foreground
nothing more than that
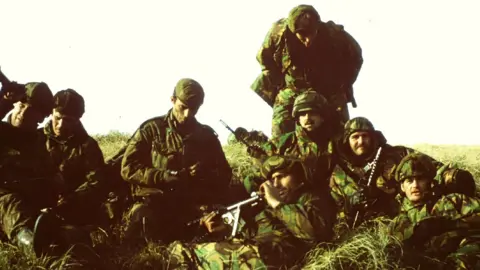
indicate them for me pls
(215, 255)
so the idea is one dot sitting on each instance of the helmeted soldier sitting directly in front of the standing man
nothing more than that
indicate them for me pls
(316, 126)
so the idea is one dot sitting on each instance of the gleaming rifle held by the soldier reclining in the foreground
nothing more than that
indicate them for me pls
(231, 214)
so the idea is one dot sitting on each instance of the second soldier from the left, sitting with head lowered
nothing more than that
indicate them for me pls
(78, 159)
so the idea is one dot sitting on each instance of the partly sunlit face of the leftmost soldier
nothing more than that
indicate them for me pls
(25, 116)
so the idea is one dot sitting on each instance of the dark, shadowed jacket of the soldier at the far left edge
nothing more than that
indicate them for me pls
(26, 167)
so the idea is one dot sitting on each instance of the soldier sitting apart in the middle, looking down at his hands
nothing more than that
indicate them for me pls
(175, 166)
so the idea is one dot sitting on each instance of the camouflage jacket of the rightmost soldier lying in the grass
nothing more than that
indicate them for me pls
(439, 225)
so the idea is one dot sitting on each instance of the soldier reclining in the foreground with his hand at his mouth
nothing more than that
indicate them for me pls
(291, 222)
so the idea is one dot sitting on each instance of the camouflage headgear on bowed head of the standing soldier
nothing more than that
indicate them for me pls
(303, 18)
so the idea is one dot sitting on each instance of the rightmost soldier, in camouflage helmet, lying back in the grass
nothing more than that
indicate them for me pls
(434, 224)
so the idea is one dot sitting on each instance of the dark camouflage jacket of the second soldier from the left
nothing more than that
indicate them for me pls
(80, 161)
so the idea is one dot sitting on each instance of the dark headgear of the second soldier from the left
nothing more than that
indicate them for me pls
(69, 102)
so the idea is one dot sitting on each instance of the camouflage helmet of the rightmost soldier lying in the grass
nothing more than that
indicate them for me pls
(415, 165)
